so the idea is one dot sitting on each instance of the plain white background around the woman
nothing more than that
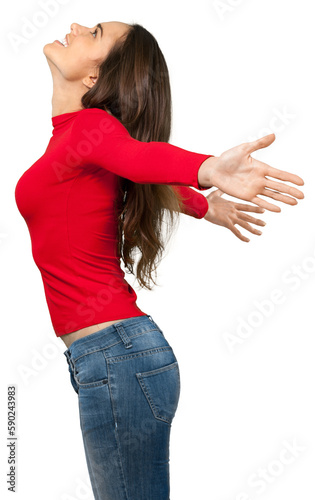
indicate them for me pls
(239, 70)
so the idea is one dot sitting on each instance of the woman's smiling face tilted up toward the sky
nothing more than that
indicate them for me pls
(85, 48)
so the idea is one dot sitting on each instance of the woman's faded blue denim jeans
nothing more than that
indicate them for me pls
(128, 384)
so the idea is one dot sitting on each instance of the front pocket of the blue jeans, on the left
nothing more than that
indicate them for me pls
(90, 370)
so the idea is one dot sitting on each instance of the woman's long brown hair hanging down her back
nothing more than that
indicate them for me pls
(133, 85)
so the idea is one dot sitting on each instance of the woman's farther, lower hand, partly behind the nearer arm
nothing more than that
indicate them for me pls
(227, 213)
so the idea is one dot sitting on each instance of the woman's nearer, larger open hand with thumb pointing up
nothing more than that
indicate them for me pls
(236, 173)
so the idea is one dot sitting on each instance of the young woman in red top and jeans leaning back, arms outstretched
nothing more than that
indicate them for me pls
(101, 191)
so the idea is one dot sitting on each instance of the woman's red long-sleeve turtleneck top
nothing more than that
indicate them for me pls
(67, 198)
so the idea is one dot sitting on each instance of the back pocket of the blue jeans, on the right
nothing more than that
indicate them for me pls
(161, 388)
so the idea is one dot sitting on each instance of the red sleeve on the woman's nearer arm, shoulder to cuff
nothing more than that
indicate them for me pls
(100, 139)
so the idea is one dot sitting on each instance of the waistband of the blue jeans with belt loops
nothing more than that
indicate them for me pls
(122, 330)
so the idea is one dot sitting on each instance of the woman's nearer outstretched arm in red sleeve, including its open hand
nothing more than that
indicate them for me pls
(100, 139)
